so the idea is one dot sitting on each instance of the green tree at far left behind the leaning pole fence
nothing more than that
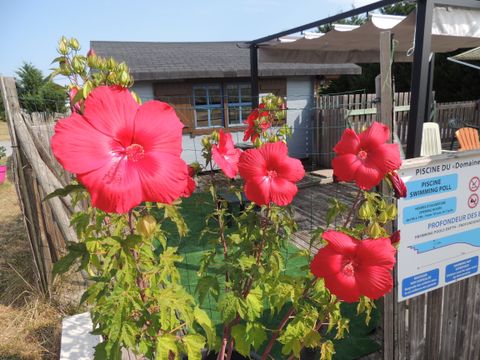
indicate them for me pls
(38, 94)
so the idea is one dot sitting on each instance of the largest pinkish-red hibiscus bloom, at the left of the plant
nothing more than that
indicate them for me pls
(122, 152)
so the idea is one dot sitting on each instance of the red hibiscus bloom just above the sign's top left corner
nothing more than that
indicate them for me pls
(365, 158)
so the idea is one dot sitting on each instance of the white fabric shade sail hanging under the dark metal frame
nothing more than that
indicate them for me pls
(452, 28)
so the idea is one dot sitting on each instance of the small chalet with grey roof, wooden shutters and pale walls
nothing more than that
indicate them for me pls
(208, 84)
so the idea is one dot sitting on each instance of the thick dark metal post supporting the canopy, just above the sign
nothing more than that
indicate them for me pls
(418, 102)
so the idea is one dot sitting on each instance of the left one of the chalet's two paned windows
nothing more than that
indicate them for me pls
(208, 104)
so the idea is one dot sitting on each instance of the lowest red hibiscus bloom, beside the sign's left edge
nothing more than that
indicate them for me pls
(353, 268)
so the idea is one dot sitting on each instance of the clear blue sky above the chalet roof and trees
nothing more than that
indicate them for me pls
(30, 29)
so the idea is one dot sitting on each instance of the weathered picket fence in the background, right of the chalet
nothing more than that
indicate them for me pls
(333, 113)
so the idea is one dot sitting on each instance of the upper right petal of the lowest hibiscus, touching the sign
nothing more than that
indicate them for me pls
(376, 252)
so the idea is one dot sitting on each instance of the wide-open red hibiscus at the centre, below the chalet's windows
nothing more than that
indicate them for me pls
(270, 174)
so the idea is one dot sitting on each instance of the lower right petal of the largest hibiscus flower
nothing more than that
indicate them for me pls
(163, 177)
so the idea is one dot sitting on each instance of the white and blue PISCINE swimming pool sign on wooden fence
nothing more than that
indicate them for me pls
(439, 222)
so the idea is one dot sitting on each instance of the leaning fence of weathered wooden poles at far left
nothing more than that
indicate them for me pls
(36, 174)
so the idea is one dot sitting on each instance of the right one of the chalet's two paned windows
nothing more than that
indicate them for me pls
(239, 101)
